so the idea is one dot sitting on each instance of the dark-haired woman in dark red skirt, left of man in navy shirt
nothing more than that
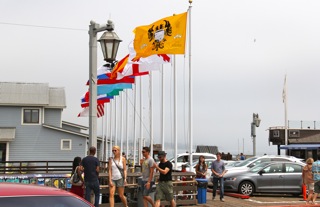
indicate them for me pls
(77, 179)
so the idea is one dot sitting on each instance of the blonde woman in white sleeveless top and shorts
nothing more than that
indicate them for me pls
(117, 170)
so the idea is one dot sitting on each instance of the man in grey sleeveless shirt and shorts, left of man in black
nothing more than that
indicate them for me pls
(147, 170)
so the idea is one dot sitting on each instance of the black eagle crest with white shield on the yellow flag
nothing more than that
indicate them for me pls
(158, 33)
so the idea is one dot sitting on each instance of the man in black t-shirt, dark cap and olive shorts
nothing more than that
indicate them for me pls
(164, 189)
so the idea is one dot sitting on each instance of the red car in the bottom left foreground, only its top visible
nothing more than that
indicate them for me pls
(30, 195)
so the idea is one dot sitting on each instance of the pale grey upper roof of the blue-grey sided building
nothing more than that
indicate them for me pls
(31, 94)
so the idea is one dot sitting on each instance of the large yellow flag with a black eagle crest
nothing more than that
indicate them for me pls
(165, 36)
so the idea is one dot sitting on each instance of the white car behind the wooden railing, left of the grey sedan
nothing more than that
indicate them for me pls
(183, 159)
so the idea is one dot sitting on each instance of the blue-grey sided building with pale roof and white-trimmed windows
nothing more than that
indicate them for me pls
(31, 126)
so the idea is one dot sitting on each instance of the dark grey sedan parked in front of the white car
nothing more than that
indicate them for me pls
(267, 177)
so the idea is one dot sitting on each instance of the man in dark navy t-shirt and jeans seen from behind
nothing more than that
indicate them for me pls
(91, 167)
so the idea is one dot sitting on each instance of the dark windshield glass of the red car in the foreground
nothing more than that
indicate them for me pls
(40, 201)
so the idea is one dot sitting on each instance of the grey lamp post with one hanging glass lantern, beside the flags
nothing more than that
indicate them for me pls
(109, 43)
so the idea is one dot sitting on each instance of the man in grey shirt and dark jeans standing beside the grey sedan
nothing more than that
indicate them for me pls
(218, 171)
